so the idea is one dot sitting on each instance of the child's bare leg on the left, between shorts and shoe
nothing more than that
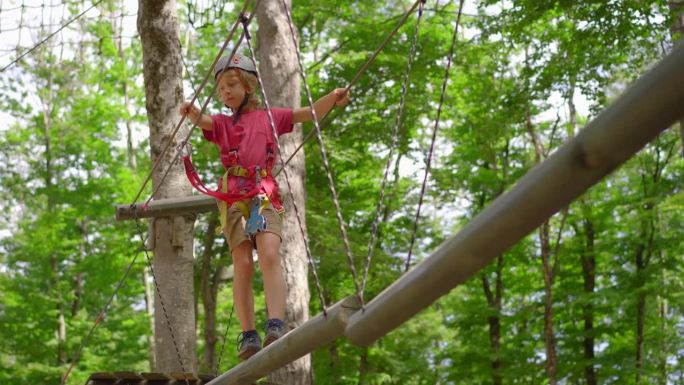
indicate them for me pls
(243, 268)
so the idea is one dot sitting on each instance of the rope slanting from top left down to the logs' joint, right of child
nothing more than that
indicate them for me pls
(324, 156)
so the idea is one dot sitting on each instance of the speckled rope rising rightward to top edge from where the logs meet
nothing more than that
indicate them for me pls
(395, 130)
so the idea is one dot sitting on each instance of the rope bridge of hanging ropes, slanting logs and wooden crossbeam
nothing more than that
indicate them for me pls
(650, 106)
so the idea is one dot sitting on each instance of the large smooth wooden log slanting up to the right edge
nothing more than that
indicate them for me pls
(650, 106)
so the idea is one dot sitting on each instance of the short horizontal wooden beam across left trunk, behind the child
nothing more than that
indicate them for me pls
(167, 207)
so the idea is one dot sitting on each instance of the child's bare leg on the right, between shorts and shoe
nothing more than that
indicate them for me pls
(275, 289)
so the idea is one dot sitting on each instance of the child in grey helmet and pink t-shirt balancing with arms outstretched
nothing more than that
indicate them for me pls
(248, 151)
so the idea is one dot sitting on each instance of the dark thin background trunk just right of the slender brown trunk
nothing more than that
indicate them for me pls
(589, 276)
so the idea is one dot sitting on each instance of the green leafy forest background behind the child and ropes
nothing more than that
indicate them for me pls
(595, 295)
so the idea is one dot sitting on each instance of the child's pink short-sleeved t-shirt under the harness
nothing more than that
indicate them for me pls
(252, 135)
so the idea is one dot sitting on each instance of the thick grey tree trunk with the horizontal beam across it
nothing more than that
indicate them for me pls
(175, 340)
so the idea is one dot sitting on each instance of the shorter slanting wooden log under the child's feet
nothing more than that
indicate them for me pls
(314, 333)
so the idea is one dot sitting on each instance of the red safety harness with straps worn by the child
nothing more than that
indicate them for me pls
(264, 192)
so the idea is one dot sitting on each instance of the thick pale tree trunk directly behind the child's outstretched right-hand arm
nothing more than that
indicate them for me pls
(280, 72)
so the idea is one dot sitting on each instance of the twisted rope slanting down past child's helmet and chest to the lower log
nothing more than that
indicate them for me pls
(287, 178)
